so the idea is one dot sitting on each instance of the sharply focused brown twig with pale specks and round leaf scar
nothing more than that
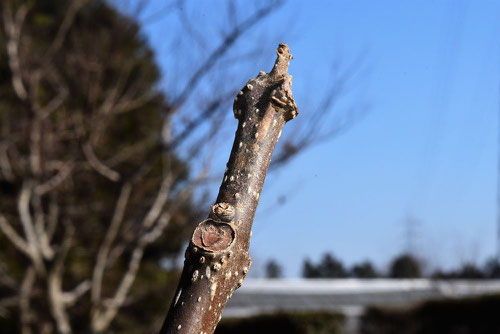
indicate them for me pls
(217, 257)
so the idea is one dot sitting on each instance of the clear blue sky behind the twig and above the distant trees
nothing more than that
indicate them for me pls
(426, 150)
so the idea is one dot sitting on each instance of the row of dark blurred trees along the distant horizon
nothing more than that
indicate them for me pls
(402, 266)
